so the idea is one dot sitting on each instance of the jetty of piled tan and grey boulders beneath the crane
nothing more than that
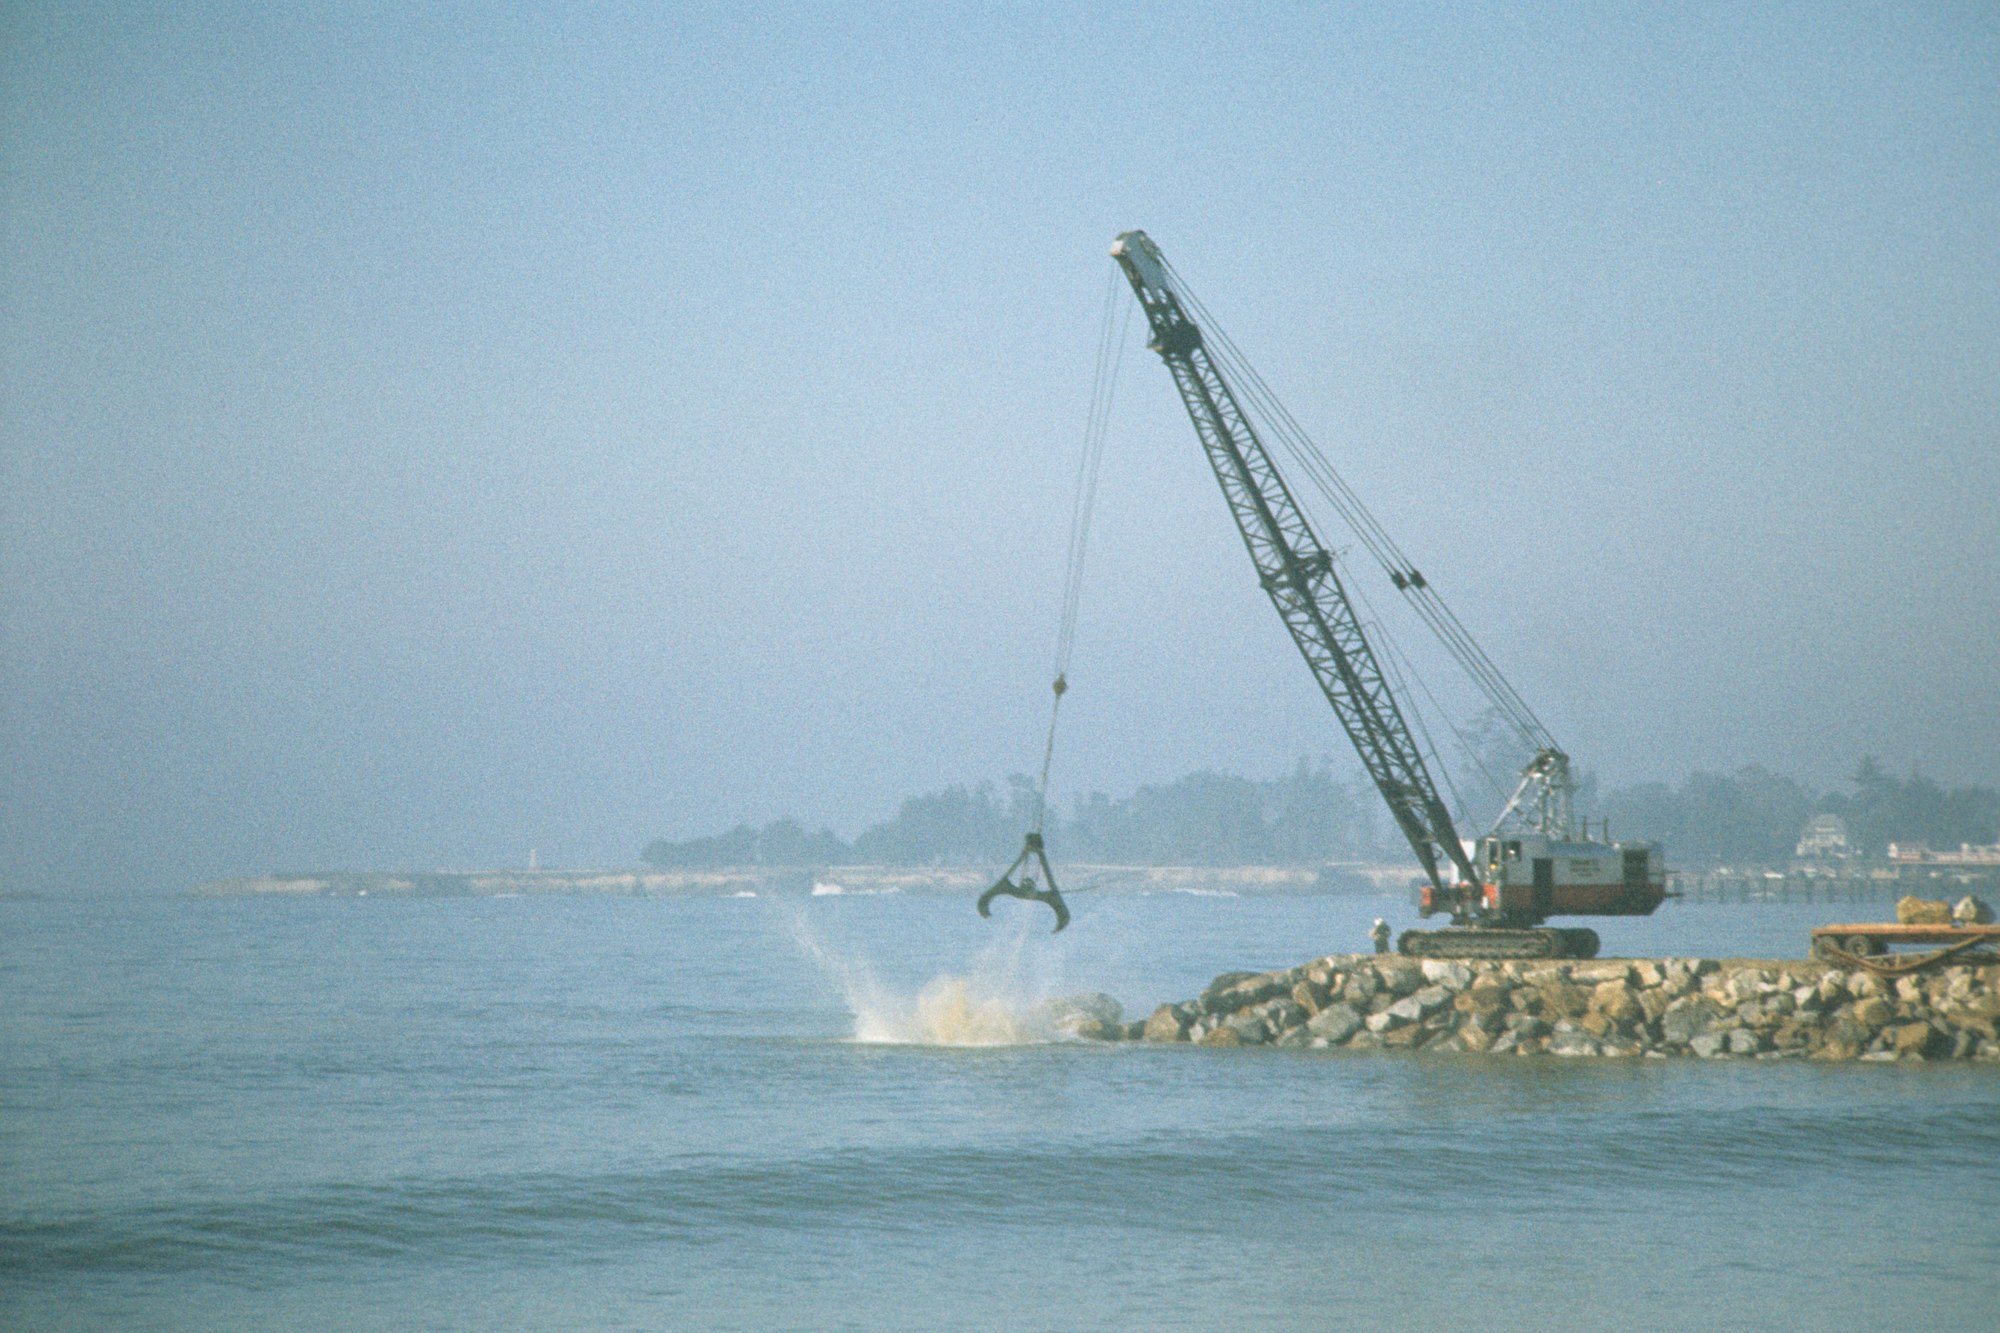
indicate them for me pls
(1611, 1008)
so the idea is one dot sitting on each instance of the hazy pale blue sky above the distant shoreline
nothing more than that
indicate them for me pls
(441, 433)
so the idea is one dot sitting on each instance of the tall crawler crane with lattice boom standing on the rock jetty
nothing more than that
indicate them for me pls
(1531, 866)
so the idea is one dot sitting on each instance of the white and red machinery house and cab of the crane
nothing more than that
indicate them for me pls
(1527, 878)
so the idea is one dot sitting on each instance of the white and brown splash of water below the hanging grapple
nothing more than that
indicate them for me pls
(1001, 1002)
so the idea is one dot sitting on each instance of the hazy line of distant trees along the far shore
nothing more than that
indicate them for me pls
(1311, 816)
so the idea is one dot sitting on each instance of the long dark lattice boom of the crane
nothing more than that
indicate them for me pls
(1297, 571)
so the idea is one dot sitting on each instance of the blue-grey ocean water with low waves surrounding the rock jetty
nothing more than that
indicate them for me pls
(741, 1114)
